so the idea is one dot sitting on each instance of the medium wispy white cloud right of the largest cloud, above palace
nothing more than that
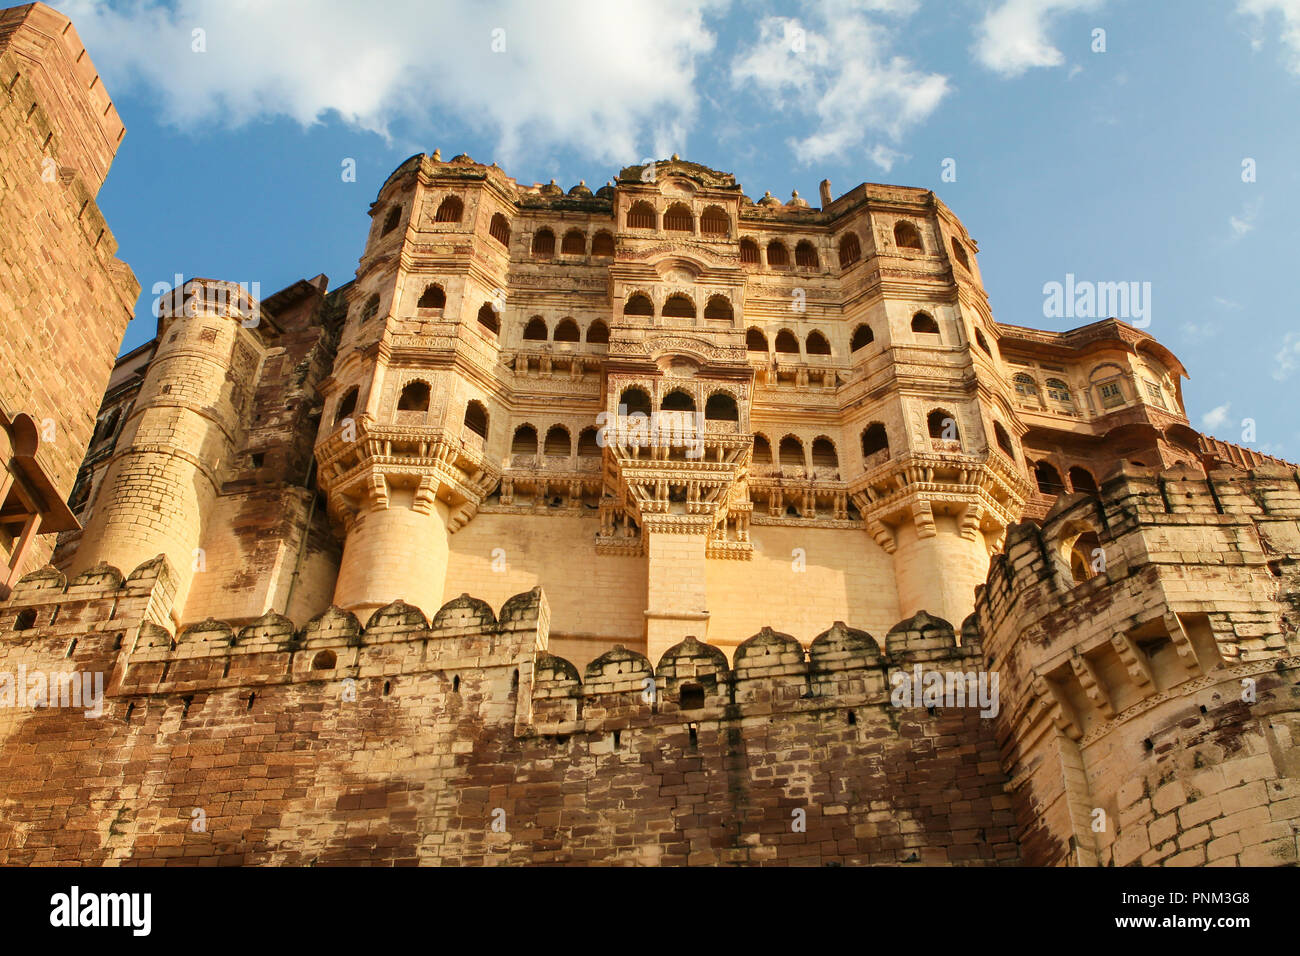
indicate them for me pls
(839, 68)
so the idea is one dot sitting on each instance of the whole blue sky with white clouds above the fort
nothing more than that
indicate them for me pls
(1124, 165)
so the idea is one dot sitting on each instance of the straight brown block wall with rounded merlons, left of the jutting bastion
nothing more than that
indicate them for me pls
(405, 742)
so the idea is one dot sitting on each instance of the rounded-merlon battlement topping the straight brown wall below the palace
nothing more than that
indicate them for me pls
(122, 622)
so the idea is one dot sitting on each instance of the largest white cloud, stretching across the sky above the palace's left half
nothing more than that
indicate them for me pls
(560, 80)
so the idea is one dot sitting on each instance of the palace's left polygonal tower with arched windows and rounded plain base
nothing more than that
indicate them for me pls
(402, 451)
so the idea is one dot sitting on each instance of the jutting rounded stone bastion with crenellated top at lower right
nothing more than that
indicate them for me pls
(1147, 644)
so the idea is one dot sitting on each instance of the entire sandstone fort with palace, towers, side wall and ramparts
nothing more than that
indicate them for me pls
(391, 577)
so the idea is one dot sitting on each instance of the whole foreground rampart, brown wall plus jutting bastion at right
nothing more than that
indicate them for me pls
(1147, 716)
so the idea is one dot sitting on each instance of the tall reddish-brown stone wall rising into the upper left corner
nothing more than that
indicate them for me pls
(66, 299)
